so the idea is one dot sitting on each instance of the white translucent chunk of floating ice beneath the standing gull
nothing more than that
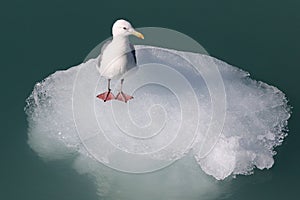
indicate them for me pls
(178, 113)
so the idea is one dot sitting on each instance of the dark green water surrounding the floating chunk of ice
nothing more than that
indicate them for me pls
(41, 37)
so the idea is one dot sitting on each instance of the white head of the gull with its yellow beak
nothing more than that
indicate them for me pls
(123, 28)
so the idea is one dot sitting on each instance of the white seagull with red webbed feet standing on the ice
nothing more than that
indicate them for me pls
(117, 57)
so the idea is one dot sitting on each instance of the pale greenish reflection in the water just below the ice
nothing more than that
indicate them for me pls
(182, 180)
